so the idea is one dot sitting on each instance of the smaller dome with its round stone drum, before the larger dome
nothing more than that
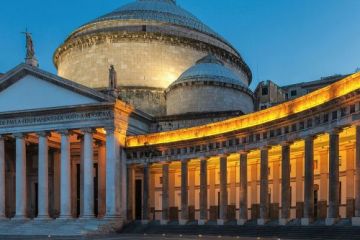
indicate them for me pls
(208, 86)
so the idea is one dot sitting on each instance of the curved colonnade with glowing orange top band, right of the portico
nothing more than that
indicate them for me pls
(299, 161)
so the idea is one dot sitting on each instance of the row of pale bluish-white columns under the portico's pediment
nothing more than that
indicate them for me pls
(113, 192)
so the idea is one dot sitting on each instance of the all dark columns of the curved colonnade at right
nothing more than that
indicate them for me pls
(308, 210)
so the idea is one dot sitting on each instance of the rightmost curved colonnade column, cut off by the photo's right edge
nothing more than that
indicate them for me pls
(356, 220)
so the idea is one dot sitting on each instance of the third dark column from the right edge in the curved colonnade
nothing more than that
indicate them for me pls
(309, 182)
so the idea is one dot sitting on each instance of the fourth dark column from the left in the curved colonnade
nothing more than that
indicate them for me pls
(203, 192)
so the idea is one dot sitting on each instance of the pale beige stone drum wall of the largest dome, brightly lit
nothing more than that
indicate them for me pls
(143, 64)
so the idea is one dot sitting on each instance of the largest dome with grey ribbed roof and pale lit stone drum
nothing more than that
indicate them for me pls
(150, 43)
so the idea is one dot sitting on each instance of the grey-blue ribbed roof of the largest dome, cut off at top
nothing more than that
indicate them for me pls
(158, 10)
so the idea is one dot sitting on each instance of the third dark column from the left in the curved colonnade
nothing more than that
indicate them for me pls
(184, 193)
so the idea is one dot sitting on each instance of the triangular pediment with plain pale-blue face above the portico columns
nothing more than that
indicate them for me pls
(28, 88)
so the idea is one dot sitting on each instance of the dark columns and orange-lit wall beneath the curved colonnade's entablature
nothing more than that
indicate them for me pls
(282, 182)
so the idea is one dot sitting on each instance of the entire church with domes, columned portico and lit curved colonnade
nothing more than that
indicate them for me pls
(170, 134)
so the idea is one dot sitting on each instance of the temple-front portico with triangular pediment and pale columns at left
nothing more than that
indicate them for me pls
(63, 149)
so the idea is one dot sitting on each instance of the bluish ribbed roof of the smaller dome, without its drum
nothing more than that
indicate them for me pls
(209, 68)
